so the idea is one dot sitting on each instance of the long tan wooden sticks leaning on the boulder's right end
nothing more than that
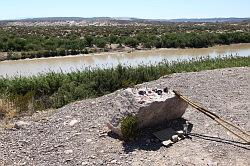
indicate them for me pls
(216, 118)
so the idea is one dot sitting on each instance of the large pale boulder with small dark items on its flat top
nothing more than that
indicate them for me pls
(150, 107)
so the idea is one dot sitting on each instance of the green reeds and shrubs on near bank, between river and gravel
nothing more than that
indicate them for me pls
(54, 90)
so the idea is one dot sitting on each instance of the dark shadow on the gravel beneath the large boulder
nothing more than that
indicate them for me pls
(147, 141)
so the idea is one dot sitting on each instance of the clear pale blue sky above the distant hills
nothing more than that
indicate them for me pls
(155, 9)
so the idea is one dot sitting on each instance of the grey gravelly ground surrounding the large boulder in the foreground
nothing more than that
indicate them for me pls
(73, 135)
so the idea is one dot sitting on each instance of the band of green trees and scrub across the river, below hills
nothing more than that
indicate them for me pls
(35, 42)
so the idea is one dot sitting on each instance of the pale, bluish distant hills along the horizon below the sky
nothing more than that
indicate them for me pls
(101, 21)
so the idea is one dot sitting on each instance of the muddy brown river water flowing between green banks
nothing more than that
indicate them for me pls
(28, 67)
